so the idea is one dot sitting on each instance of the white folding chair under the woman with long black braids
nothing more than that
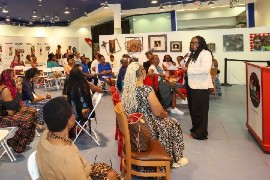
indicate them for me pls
(94, 137)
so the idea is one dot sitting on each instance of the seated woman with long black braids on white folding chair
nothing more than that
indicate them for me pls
(79, 95)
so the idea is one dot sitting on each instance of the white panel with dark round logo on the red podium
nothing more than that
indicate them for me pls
(254, 99)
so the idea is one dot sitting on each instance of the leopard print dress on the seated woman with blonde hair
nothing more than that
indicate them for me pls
(167, 130)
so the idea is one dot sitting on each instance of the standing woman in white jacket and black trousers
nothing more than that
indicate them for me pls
(199, 81)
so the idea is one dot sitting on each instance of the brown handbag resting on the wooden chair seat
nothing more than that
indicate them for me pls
(140, 134)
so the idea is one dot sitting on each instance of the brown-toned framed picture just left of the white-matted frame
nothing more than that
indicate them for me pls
(134, 44)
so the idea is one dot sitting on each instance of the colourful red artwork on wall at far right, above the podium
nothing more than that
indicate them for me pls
(260, 42)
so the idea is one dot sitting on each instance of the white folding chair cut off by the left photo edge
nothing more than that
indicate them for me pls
(6, 133)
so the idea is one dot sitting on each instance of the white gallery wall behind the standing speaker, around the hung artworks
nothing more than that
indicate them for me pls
(236, 70)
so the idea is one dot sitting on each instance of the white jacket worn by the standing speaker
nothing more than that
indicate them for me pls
(199, 71)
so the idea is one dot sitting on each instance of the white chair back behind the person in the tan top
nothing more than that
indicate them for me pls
(32, 166)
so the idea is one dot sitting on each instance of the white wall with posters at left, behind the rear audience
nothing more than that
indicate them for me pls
(43, 36)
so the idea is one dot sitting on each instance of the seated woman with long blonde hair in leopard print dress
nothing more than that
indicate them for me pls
(138, 97)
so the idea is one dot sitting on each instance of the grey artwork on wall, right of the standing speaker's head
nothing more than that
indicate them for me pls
(233, 42)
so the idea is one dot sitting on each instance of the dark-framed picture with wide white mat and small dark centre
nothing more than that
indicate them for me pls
(157, 43)
